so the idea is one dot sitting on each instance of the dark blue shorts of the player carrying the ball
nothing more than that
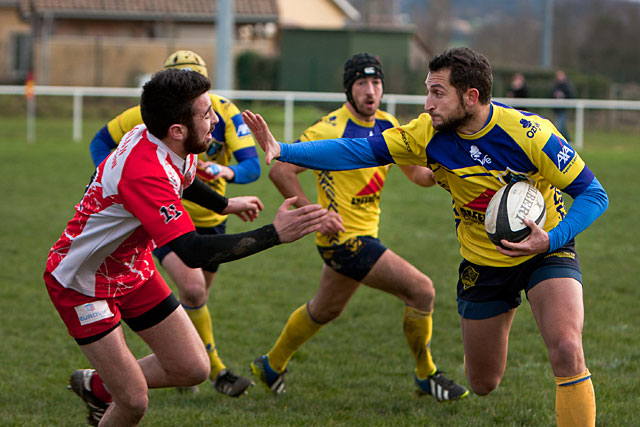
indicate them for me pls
(485, 292)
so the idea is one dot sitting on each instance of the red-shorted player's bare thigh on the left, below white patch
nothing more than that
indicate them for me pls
(117, 366)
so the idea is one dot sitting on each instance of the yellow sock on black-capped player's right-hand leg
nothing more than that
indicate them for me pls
(417, 326)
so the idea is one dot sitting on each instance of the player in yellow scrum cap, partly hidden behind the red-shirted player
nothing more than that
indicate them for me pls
(231, 137)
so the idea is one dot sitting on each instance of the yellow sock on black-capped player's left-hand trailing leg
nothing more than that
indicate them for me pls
(299, 328)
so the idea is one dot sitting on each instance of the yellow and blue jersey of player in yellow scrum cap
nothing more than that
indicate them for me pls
(231, 137)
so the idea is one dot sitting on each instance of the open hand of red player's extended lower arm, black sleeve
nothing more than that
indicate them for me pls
(292, 224)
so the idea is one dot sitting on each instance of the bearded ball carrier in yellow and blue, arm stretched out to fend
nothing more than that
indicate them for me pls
(474, 147)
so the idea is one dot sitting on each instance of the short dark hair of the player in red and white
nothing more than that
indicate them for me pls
(168, 99)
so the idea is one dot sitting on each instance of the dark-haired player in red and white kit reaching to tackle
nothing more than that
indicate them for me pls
(100, 271)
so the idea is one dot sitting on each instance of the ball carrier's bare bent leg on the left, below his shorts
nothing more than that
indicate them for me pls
(485, 346)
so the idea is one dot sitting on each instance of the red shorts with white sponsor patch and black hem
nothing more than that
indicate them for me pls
(87, 317)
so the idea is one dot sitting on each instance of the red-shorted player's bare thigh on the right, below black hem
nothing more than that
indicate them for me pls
(176, 343)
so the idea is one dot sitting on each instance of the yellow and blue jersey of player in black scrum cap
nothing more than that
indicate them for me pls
(353, 194)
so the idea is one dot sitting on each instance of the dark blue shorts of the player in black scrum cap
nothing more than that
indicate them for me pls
(355, 257)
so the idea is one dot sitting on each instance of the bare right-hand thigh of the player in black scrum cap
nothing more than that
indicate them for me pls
(395, 275)
